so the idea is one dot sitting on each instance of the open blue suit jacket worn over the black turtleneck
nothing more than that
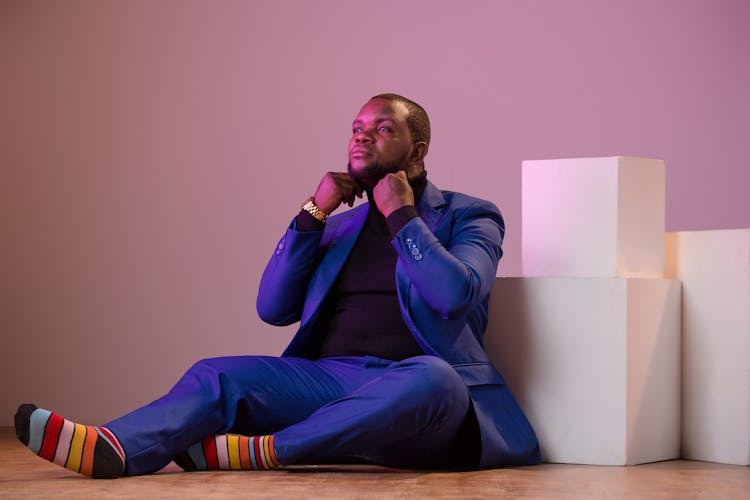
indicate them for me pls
(447, 261)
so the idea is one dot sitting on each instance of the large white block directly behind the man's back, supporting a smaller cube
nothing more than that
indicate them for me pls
(594, 363)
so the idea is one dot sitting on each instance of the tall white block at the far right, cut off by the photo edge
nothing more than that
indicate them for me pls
(714, 267)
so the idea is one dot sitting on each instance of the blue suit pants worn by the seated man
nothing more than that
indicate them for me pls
(404, 414)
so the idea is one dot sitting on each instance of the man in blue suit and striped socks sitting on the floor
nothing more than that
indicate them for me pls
(387, 365)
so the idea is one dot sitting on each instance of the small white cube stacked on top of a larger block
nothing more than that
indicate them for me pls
(593, 217)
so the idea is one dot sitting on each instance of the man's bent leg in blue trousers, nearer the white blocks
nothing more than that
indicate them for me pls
(404, 414)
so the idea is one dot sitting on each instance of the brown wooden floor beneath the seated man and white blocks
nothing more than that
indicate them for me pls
(24, 475)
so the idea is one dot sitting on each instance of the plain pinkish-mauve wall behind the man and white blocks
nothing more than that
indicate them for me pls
(152, 152)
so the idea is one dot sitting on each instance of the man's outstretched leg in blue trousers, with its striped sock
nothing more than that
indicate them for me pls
(248, 394)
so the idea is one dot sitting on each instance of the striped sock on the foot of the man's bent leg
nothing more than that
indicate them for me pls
(230, 452)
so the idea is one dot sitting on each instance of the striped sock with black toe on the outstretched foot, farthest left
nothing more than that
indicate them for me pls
(92, 451)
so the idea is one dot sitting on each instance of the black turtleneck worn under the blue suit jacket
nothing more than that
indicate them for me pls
(363, 313)
